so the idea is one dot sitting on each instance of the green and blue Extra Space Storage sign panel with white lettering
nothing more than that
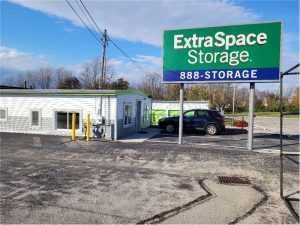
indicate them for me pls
(240, 53)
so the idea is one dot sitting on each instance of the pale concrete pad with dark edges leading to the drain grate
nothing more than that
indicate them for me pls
(230, 205)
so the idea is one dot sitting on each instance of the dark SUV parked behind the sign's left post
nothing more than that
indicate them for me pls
(210, 121)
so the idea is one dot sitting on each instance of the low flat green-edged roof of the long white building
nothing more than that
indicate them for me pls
(68, 92)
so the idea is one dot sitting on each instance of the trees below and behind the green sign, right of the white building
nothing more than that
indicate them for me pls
(220, 96)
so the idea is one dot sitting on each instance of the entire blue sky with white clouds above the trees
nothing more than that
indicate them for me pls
(47, 33)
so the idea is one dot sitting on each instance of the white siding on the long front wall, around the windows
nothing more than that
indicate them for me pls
(19, 109)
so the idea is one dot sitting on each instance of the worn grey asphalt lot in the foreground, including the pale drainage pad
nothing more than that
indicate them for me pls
(48, 179)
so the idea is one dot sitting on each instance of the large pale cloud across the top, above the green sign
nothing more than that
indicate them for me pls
(144, 21)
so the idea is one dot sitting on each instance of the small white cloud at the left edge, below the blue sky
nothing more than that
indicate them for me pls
(12, 59)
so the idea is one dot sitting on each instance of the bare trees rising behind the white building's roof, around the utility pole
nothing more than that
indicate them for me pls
(62, 78)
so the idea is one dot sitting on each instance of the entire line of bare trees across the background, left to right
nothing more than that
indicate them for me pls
(220, 96)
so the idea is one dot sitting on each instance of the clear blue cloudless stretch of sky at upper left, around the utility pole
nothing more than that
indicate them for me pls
(58, 39)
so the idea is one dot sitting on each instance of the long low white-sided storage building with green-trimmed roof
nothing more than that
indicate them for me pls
(113, 113)
